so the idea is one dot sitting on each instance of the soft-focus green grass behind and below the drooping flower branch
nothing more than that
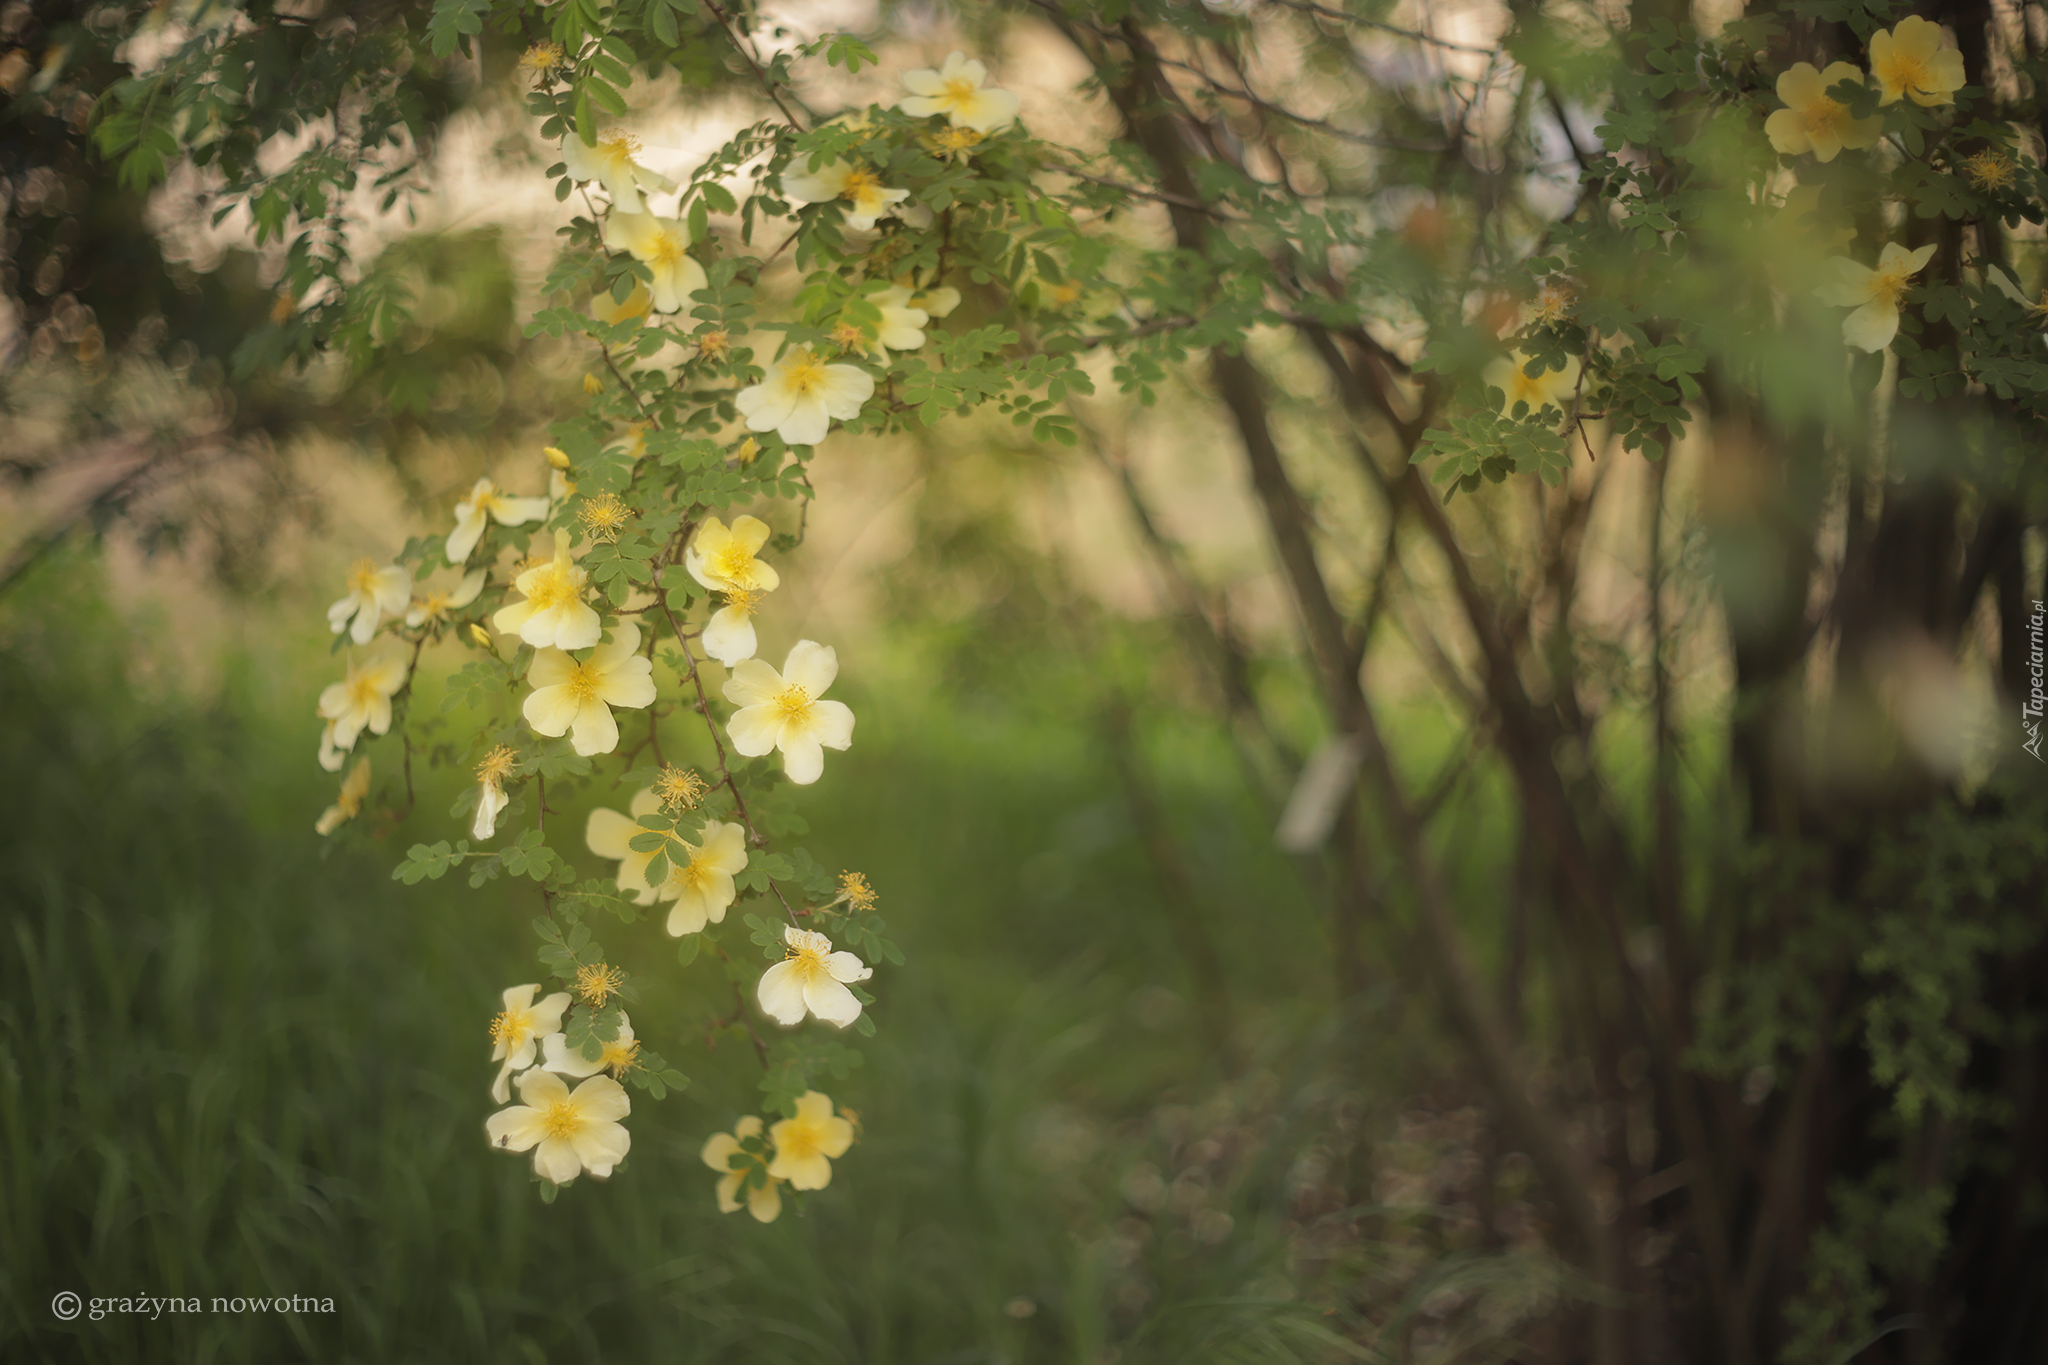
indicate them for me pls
(245, 1063)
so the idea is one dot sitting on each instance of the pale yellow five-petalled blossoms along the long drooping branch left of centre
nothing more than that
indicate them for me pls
(593, 656)
